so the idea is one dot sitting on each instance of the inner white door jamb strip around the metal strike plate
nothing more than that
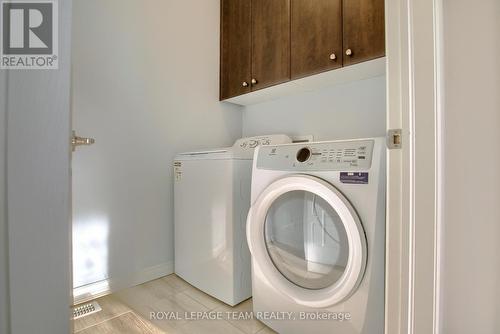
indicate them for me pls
(398, 168)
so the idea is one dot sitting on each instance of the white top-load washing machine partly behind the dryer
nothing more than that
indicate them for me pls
(212, 198)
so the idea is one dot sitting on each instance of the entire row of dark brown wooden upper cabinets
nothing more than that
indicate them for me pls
(268, 42)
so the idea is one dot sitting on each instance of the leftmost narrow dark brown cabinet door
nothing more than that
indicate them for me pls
(235, 63)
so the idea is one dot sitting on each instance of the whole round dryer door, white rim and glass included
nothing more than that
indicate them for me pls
(307, 240)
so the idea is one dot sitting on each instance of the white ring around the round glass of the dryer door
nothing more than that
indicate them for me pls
(356, 263)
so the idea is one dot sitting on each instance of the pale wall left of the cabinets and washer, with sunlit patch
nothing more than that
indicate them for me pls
(145, 86)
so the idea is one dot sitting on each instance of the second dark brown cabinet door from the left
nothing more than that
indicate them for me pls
(270, 42)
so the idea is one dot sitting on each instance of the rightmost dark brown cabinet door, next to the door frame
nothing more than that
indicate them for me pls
(364, 30)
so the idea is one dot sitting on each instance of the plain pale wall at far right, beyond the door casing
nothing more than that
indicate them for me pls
(470, 286)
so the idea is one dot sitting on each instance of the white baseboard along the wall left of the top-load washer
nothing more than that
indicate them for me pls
(98, 289)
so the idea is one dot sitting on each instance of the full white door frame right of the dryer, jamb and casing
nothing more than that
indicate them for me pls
(413, 37)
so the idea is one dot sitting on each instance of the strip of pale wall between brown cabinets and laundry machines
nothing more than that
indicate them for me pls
(346, 111)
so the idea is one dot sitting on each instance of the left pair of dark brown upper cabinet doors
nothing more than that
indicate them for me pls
(255, 45)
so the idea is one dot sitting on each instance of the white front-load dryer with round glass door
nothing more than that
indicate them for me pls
(316, 232)
